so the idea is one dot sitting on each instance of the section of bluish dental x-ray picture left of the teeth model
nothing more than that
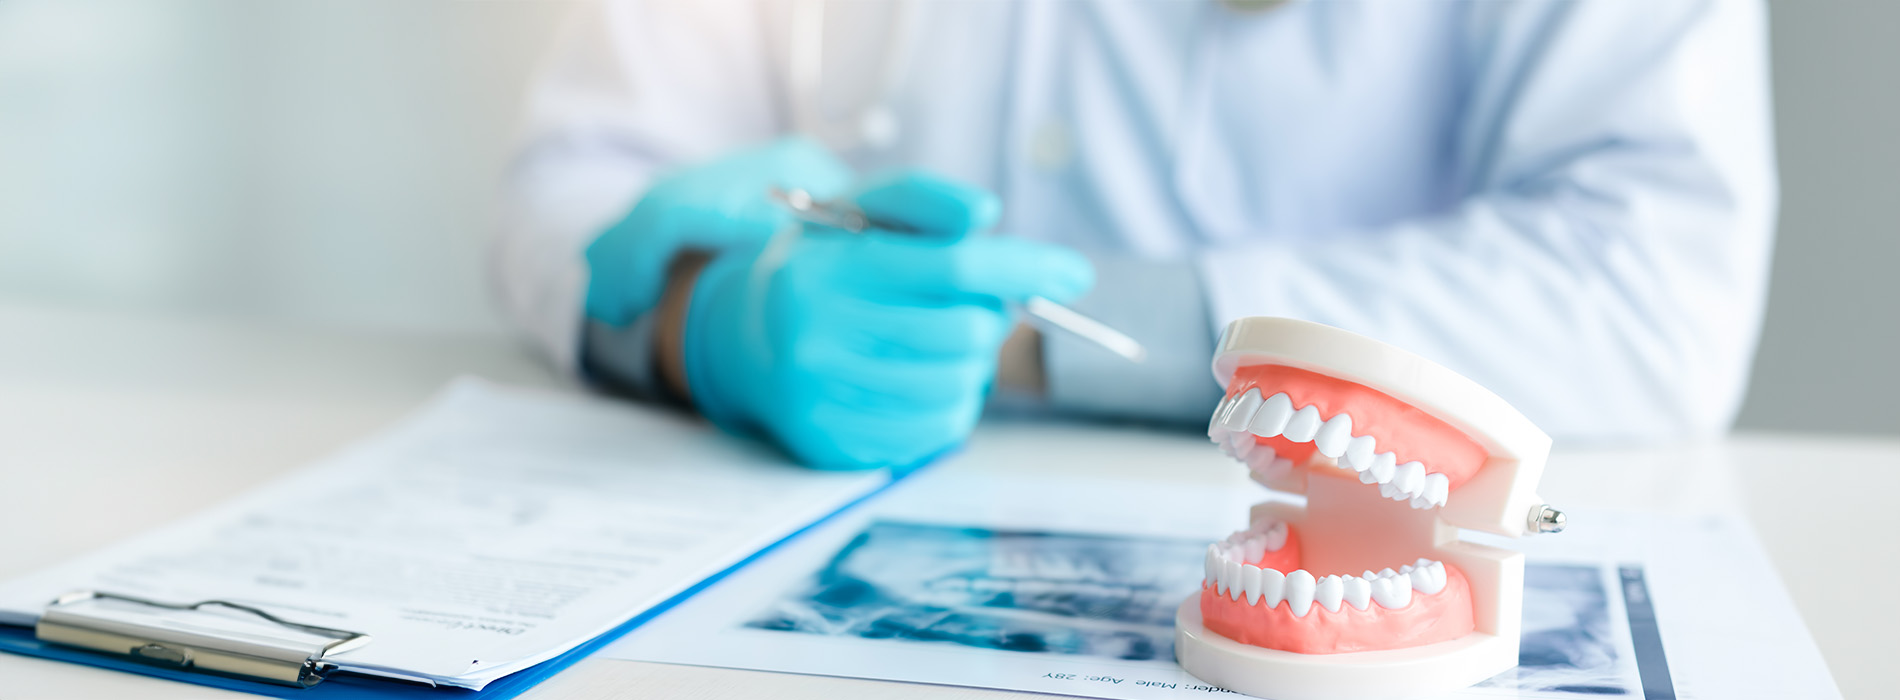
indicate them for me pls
(1031, 593)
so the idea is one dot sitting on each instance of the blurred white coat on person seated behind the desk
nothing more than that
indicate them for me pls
(1570, 203)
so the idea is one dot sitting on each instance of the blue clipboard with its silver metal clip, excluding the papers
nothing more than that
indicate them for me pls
(271, 678)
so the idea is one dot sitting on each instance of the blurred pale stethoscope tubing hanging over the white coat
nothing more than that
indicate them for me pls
(873, 125)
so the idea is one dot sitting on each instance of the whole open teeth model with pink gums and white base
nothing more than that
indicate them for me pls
(1356, 594)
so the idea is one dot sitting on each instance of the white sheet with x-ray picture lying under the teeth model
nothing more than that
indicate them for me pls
(978, 579)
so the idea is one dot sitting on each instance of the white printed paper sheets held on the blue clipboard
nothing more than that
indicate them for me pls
(491, 532)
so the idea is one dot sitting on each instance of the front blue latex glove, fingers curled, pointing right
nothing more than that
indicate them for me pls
(877, 349)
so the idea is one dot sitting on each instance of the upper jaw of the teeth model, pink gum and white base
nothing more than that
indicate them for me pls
(1491, 456)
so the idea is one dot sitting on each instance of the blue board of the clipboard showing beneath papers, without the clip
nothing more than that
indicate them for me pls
(351, 686)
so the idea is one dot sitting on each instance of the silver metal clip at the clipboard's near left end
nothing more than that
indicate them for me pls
(155, 632)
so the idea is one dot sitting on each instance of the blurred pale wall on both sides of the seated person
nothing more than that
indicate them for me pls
(335, 163)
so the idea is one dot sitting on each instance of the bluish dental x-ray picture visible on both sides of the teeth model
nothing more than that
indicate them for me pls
(1114, 596)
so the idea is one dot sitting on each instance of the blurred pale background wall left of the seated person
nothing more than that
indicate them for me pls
(316, 161)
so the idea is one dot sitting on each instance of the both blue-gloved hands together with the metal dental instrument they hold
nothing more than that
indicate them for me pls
(854, 330)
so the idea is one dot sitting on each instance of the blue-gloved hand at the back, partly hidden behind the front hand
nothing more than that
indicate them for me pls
(712, 208)
